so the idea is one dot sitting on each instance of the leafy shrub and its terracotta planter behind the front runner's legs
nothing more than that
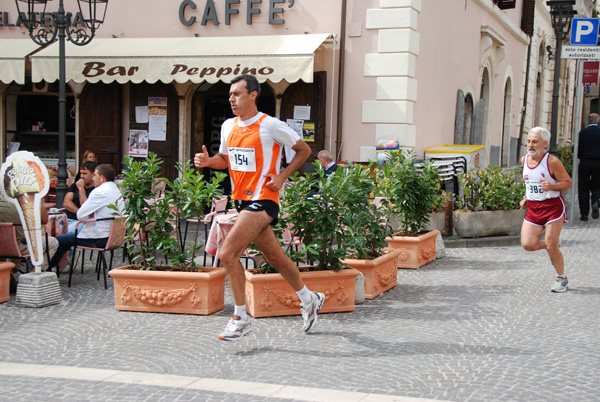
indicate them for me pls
(315, 209)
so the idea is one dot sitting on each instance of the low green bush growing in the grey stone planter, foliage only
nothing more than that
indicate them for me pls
(490, 189)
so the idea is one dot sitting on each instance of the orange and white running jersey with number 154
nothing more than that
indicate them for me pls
(254, 149)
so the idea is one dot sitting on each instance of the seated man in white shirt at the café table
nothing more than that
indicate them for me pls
(94, 234)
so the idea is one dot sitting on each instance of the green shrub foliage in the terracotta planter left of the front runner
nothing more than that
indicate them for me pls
(152, 224)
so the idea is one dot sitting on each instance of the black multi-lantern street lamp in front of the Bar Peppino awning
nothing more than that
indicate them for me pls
(62, 27)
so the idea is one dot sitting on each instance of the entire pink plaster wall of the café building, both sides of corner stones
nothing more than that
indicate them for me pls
(448, 59)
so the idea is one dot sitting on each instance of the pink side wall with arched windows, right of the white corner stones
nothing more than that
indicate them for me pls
(449, 60)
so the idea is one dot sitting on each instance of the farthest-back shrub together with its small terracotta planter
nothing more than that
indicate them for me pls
(413, 194)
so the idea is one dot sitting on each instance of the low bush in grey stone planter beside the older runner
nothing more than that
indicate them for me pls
(488, 203)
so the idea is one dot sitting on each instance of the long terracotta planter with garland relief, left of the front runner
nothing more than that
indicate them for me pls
(169, 292)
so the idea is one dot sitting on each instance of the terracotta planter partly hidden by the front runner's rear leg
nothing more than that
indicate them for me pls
(269, 295)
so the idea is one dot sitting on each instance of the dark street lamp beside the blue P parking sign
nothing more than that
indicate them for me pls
(562, 12)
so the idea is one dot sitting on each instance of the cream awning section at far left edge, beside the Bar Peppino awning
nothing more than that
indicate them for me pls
(12, 59)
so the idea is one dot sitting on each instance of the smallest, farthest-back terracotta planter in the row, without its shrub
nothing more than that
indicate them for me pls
(416, 251)
